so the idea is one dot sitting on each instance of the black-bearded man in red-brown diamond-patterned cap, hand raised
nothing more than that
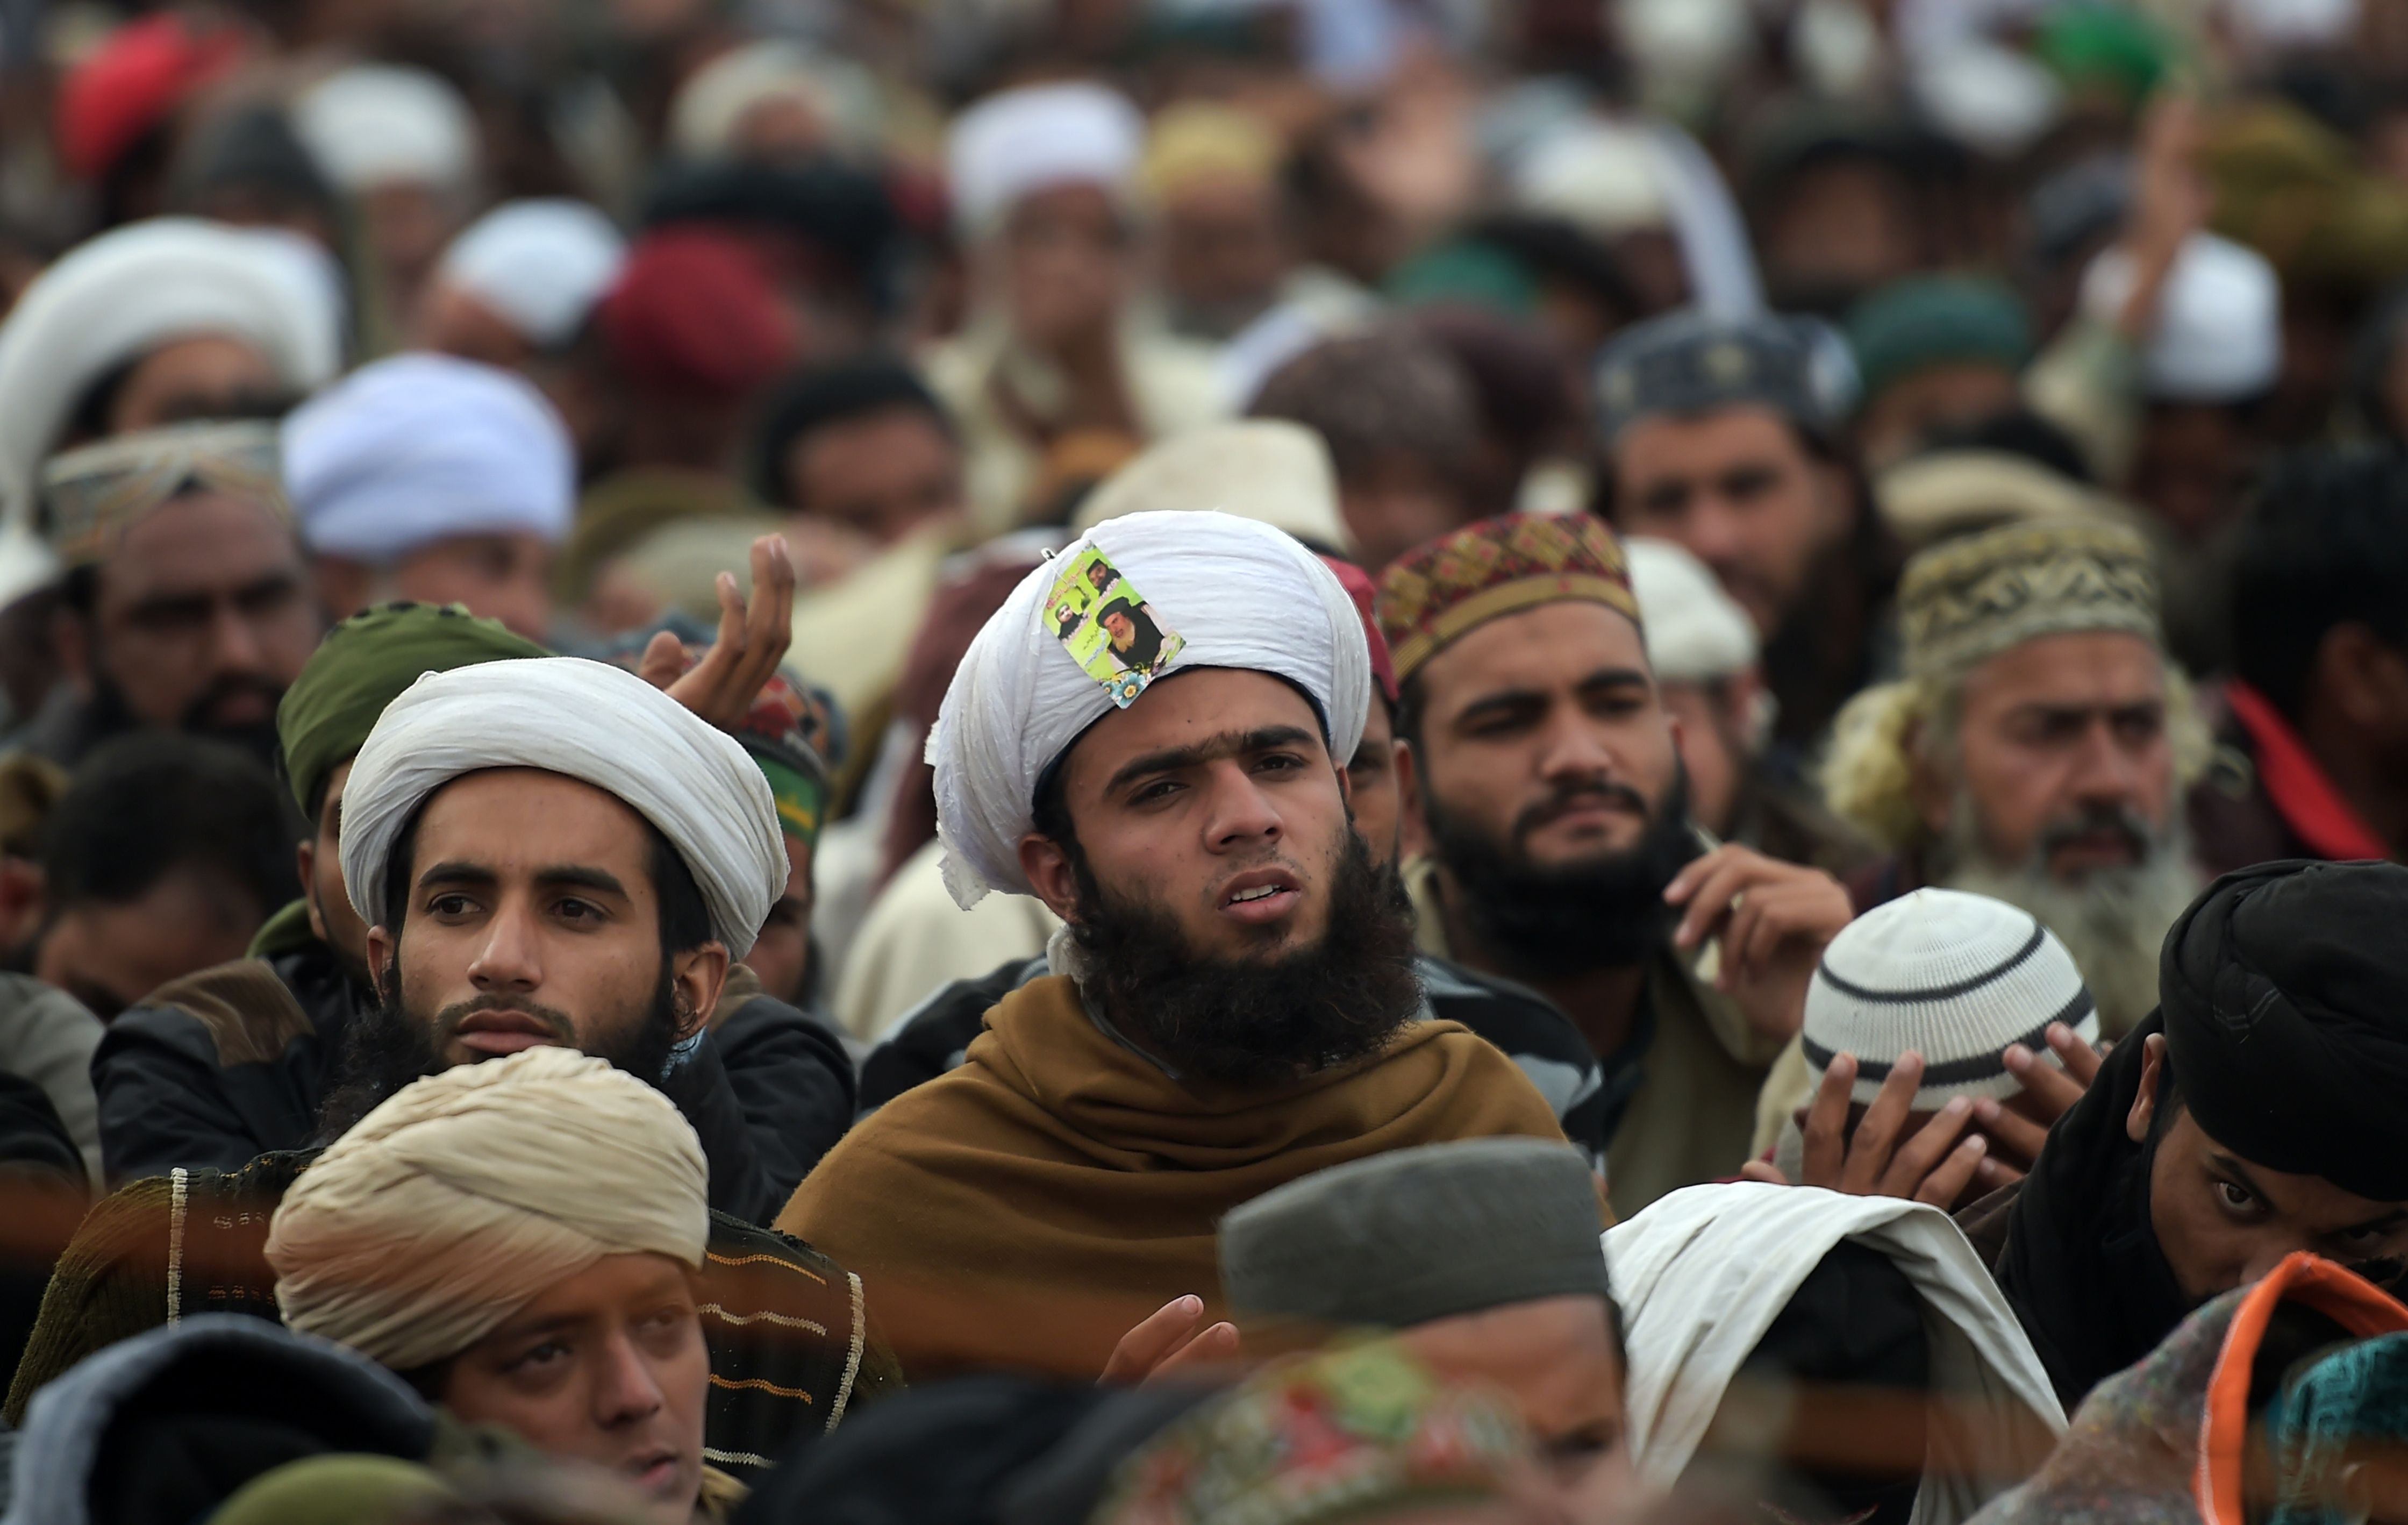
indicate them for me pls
(1562, 852)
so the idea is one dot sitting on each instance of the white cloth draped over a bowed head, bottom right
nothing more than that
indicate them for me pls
(1704, 1273)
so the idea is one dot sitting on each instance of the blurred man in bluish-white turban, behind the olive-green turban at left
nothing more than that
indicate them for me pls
(437, 481)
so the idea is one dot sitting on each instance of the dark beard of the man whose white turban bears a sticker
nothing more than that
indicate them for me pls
(1256, 1023)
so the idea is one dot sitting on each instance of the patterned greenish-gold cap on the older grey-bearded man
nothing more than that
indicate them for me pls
(1969, 601)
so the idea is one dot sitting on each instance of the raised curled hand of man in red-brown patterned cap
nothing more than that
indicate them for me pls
(1773, 922)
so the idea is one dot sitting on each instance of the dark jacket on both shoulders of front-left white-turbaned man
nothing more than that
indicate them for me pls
(235, 1061)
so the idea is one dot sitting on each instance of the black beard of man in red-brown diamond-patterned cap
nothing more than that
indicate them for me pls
(1552, 922)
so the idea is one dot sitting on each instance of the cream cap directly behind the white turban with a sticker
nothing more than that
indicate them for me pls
(1268, 471)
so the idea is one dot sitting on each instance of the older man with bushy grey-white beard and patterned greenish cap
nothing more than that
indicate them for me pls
(2036, 750)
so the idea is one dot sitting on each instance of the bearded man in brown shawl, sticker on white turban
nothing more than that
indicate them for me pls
(1234, 987)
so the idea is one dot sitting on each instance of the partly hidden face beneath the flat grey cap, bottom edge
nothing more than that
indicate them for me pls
(1557, 1360)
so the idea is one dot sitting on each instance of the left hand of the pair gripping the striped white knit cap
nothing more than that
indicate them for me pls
(1932, 1167)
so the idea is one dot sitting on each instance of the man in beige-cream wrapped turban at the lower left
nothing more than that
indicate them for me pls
(519, 1240)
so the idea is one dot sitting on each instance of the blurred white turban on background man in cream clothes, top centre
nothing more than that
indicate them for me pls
(1039, 139)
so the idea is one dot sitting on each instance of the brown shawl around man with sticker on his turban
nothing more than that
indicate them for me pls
(1032, 1206)
